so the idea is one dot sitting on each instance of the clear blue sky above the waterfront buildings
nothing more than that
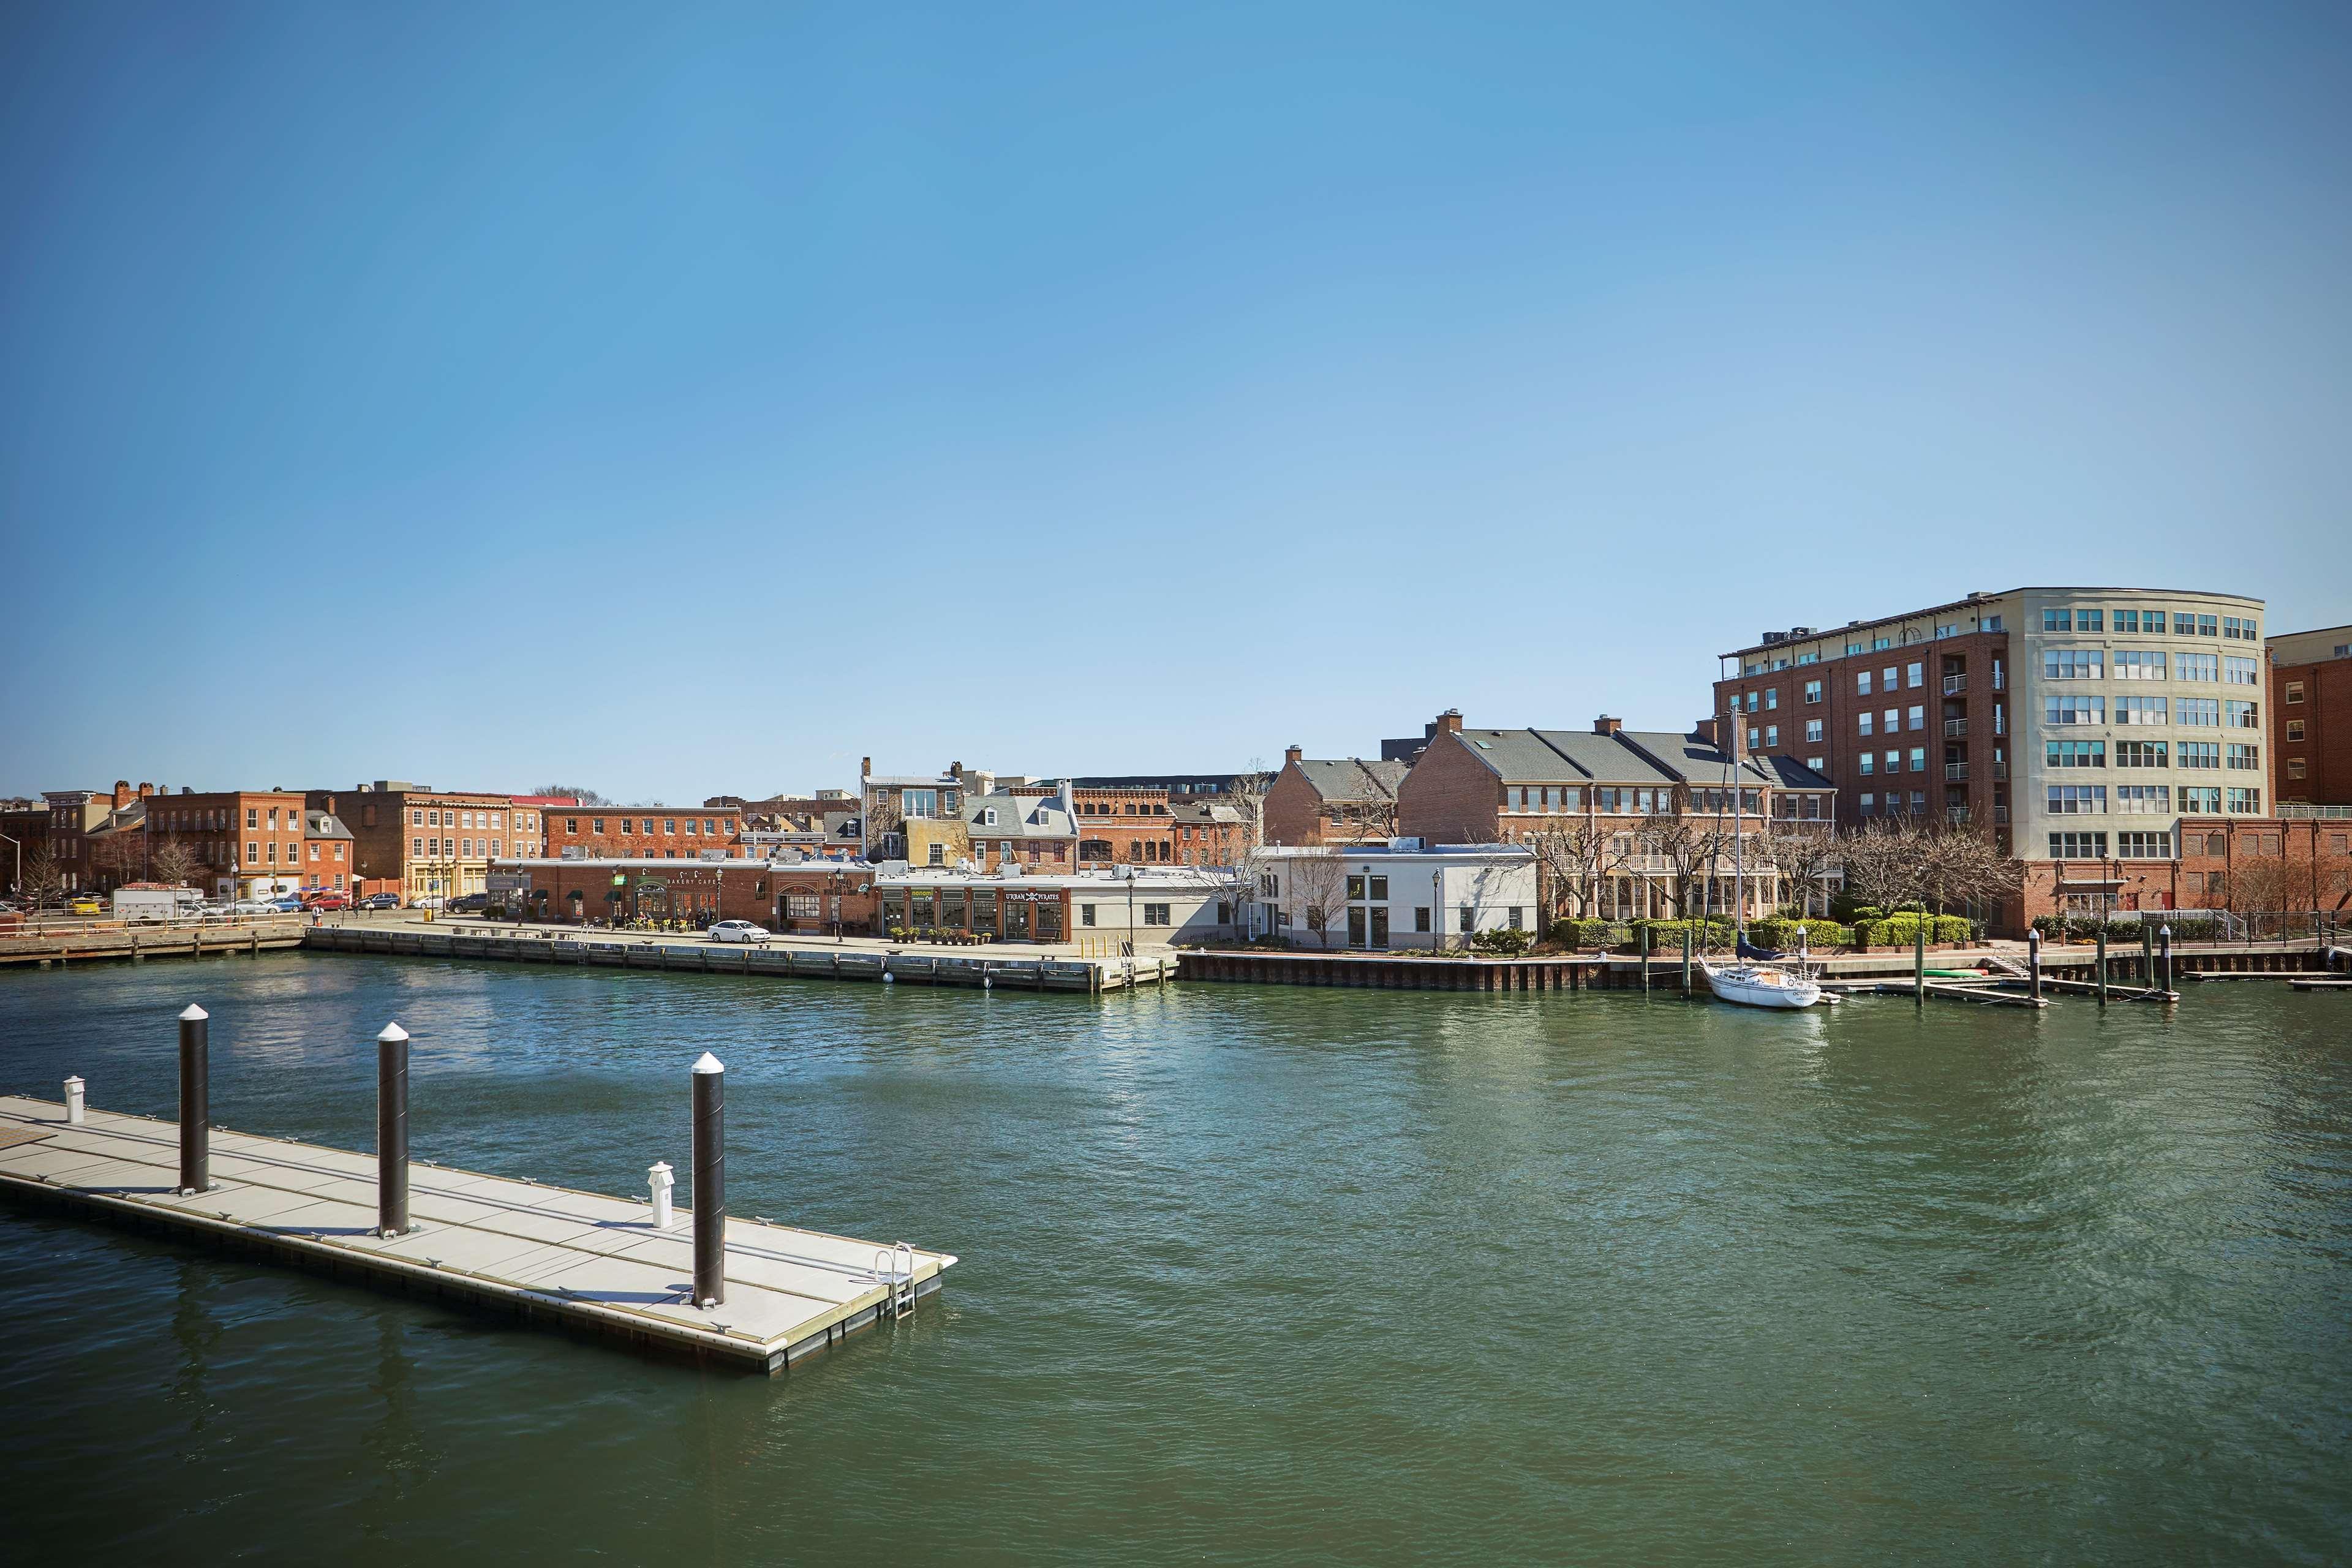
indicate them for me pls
(693, 401)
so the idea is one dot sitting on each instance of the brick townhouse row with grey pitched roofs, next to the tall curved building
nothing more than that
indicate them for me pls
(1506, 786)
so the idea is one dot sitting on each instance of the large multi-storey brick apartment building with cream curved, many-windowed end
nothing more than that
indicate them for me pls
(2085, 725)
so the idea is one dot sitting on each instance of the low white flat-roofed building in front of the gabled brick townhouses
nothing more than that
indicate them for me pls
(1396, 894)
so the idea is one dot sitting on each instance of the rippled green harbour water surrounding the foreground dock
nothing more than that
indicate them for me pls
(1250, 1278)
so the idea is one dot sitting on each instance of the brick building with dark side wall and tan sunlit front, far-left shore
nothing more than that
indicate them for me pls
(429, 843)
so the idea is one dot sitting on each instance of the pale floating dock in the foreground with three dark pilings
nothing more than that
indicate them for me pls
(547, 1257)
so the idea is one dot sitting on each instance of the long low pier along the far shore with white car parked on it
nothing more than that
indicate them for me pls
(1045, 974)
